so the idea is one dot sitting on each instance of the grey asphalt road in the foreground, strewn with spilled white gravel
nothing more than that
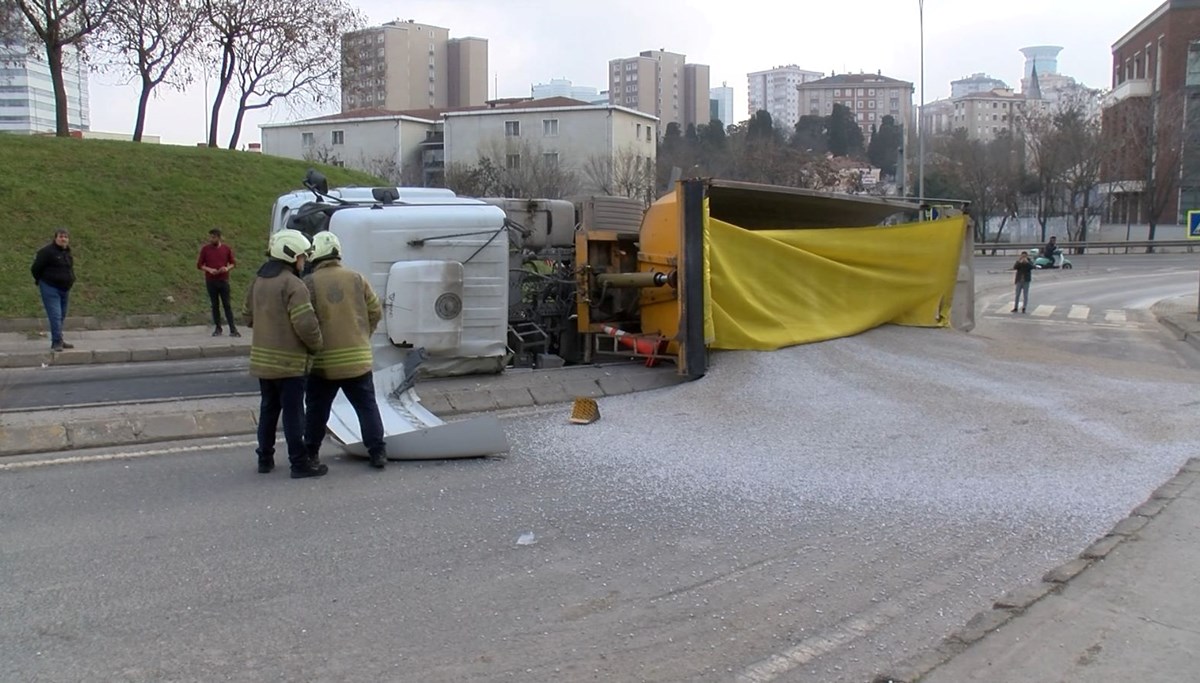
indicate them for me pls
(809, 516)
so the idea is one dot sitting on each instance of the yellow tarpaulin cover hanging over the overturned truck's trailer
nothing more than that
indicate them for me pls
(769, 290)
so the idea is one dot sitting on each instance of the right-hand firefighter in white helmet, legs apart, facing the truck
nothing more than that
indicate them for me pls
(350, 311)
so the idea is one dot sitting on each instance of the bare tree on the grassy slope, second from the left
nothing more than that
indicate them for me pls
(154, 38)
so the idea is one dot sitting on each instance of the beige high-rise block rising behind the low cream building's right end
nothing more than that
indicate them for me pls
(662, 83)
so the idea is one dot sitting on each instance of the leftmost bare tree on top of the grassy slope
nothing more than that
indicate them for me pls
(61, 25)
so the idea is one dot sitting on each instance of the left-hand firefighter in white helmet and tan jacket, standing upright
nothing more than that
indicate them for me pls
(286, 334)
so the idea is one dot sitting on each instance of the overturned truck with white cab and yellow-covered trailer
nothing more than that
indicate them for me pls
(473, 286)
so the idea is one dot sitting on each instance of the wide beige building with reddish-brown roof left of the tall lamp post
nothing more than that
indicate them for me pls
(869, 97)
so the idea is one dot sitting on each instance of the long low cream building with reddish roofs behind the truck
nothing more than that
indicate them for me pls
(415, 147)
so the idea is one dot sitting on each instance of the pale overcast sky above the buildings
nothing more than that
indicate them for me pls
(532, 41)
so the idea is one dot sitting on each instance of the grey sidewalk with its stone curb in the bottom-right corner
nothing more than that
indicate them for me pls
(1127, 609)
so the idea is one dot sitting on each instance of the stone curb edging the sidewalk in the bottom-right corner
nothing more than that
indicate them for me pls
(1015, 603)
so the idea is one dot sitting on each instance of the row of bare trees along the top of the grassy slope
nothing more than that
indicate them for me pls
(262, 51)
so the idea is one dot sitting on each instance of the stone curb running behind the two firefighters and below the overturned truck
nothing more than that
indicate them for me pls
(67, 434)
